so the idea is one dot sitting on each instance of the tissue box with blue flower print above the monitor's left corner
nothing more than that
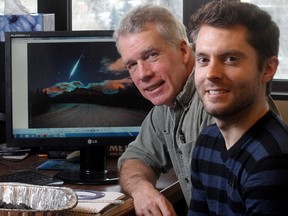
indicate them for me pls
(26, 23)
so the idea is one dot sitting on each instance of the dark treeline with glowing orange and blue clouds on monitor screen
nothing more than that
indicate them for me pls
(116, 93)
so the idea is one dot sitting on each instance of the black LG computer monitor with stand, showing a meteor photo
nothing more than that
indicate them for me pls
(70, 90)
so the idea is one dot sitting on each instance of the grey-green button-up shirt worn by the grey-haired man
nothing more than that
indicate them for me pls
(168, 136)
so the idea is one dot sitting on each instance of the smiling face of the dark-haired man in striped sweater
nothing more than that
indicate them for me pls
(227, 76)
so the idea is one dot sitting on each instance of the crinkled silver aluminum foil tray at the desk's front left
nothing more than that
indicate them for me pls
(44, 200)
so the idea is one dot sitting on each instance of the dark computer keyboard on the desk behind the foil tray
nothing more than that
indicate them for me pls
(30, 177)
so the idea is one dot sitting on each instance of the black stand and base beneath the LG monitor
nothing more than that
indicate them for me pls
(92, 168)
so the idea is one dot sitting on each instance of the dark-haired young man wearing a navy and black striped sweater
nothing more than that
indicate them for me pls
(239, 164)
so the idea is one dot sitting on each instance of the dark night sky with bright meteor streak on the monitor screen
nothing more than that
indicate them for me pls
(87, 62)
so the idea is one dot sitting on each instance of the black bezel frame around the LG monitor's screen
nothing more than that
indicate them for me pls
(51, 143)
